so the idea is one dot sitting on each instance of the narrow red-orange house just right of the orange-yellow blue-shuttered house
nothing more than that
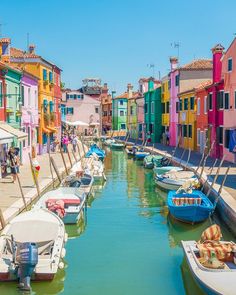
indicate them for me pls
(57, 94)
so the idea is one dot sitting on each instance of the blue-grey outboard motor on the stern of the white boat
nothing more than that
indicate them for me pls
(27, 259)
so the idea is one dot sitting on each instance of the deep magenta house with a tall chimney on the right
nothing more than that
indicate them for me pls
(216, 104)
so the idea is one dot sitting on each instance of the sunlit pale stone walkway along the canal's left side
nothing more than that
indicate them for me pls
(11, 201)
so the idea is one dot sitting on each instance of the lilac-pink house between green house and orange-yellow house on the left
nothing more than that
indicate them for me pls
(30, 118)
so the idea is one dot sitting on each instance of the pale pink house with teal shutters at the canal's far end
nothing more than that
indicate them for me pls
(82, 107)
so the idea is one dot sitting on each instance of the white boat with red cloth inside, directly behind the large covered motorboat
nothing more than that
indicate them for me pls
(66, 202)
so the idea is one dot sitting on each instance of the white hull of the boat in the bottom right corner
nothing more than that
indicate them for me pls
(211, 280)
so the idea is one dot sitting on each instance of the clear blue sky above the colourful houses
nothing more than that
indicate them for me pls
(116, 39)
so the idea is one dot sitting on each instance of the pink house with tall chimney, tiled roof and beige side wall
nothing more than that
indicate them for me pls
(181, 79)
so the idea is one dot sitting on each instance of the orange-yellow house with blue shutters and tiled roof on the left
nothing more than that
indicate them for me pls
(42, 69)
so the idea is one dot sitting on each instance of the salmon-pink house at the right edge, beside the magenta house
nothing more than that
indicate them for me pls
(229, 101)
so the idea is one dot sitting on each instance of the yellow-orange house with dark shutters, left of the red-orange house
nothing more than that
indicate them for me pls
(187, 129)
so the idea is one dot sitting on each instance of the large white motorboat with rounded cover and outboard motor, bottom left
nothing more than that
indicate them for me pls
(32, 246)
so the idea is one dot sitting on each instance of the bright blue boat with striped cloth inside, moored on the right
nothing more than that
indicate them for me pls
(189, 207)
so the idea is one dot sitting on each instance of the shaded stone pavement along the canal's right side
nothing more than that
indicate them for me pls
(230, 184)
